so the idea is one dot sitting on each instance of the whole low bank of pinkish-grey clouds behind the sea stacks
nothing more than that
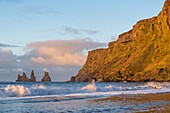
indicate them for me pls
(62, 58)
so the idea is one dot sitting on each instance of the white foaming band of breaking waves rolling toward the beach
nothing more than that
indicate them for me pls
(85, 90)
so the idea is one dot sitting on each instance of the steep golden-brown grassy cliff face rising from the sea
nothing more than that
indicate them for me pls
(141, 54)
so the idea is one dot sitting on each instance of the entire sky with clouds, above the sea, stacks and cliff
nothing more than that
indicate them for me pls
(55, 35)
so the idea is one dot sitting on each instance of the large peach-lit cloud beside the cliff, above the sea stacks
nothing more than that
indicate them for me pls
(60, 52)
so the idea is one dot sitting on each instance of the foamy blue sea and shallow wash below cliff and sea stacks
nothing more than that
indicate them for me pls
(54, 97)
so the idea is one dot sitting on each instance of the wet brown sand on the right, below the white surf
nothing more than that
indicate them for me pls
(146, 103)
